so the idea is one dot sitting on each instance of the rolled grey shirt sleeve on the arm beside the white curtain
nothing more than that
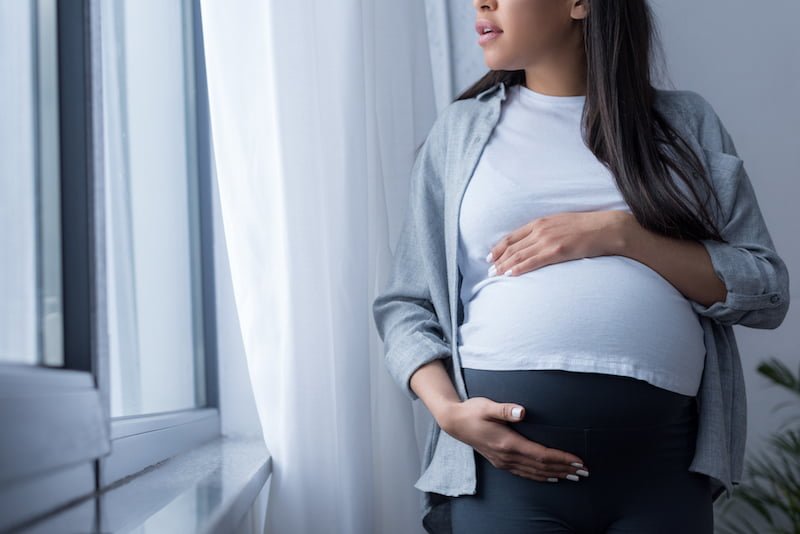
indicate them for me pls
(403, 310)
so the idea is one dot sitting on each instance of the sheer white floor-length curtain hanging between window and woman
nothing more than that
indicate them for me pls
(316, 108)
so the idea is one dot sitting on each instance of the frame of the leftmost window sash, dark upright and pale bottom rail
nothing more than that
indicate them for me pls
(42, 469)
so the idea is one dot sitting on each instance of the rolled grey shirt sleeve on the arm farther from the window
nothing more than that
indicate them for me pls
(756, 277)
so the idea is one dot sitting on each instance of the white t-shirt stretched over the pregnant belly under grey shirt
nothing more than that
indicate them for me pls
(605, 314)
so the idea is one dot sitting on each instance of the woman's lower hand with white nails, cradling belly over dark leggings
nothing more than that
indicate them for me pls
(481, 423)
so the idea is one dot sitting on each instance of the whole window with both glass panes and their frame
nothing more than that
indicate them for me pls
(107, 341)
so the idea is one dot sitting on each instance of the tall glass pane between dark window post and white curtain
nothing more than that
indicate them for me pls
(155, 319)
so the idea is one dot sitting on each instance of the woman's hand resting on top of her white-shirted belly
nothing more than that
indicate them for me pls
(561, 237)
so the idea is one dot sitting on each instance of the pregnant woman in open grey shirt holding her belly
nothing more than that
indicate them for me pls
(577, 248)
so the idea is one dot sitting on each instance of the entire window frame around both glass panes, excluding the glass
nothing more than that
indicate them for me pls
(60, 445)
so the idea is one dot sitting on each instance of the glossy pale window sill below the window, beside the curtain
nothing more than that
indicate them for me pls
(207, 490)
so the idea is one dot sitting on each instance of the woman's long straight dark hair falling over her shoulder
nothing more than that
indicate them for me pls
(623, 129)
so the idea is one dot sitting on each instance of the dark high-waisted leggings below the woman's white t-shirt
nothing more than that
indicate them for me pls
(637, 441)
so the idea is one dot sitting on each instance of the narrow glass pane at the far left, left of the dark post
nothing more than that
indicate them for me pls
(30, 233)
